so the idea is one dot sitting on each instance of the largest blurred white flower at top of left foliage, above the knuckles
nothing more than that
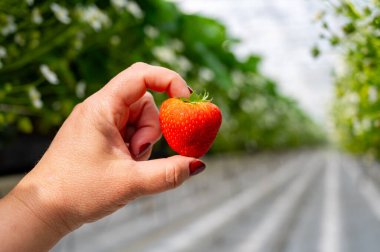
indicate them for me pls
(94, 17)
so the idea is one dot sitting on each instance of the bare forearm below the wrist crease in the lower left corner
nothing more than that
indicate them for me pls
(21, 229)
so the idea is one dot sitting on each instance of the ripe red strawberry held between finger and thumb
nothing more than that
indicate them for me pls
(190, 125)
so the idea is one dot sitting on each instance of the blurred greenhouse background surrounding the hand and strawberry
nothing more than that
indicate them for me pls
(295, 164)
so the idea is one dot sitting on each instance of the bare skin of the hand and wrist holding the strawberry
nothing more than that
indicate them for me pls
(96, 163)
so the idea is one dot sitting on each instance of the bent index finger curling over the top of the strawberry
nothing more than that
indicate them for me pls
(131, 84)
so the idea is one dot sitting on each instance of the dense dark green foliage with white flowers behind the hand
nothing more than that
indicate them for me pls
(53, 55)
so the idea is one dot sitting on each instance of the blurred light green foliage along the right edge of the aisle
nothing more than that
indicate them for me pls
(356, 110)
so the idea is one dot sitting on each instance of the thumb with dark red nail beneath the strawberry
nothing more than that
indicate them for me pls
(160, 175)
